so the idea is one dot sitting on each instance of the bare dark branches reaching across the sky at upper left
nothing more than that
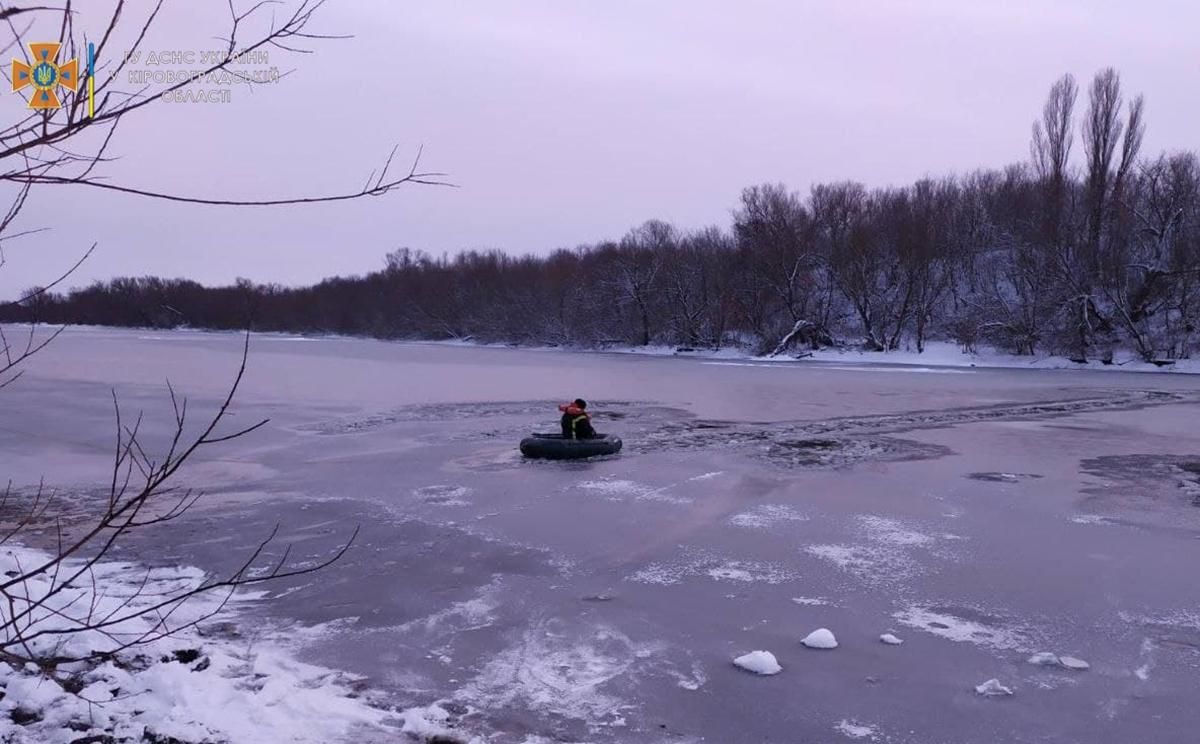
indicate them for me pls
(71, 146)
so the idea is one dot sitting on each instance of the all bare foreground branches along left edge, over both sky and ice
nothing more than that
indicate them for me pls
(70, 147)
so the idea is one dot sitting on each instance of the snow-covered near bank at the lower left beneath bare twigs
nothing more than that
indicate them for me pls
(209, 682)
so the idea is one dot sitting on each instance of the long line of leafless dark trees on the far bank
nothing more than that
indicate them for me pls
(1077, 251)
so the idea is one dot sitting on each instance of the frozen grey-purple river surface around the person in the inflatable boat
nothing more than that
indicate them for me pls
(980, 515)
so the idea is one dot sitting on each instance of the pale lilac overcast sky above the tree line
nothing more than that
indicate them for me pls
(567, 122)
